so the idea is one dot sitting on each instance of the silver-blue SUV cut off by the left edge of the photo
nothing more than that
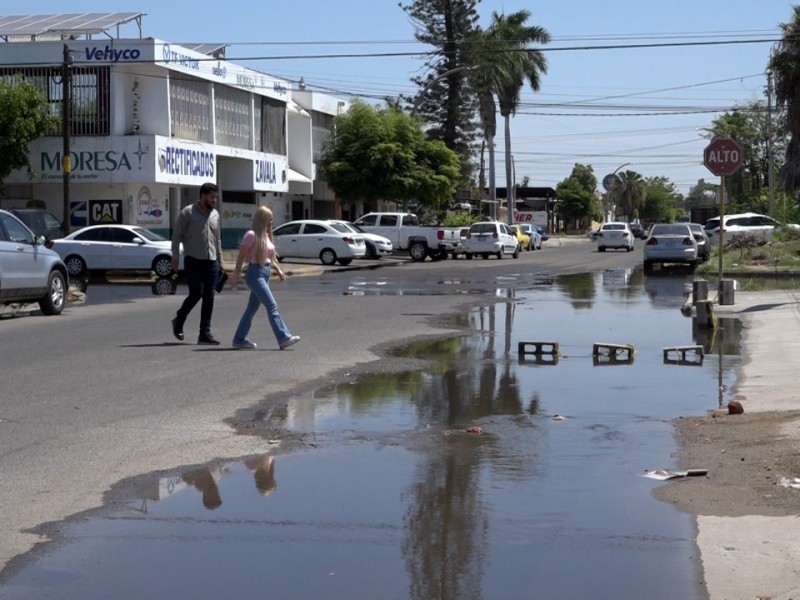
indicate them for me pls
(29, 272)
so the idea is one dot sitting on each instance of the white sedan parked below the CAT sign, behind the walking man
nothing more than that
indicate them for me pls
(116, 248)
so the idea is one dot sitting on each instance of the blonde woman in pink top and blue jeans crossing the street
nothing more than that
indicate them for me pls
(258, 250)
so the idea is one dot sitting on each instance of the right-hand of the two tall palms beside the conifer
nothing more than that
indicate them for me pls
(512, 62)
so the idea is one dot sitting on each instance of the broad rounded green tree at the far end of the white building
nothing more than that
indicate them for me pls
(382, 153)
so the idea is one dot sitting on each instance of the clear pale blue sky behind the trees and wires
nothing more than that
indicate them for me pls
(595, 107)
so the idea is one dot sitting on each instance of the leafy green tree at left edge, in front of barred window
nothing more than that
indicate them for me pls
(24, 117)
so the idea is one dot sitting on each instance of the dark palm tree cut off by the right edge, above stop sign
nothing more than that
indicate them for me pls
(785, 64)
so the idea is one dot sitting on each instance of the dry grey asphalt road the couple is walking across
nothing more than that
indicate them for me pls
(104, 393)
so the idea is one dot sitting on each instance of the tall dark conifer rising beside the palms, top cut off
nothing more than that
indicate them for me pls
(444, 99)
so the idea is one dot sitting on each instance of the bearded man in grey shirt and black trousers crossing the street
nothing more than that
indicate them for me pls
(199, 230)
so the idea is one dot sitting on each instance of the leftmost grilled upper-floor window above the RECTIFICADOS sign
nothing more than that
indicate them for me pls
(190, 108)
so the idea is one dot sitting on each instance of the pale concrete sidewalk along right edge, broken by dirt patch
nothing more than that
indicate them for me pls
(756, 556)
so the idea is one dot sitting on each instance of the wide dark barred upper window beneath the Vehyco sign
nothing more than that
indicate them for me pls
(91, 98)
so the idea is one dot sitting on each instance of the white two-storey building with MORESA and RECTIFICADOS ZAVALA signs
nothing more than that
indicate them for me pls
(152, 120)
